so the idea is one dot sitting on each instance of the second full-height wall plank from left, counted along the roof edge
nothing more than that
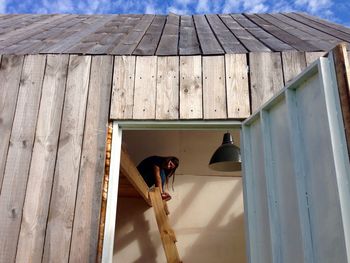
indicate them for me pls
(19, 155)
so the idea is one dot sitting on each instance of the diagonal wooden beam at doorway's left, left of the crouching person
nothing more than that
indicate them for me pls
(129, 170)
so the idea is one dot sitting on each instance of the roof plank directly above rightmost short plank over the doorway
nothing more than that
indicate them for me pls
(227, 40)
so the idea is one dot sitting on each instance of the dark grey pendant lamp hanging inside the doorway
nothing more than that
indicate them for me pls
(227, 157)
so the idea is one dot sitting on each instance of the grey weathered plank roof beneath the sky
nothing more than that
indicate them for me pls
(167, 34)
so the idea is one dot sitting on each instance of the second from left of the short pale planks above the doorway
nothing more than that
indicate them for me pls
(145, 88)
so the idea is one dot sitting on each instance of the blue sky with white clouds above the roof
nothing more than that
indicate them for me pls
(334, 10)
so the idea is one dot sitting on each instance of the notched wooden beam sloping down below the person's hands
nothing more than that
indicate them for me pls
(167, 234)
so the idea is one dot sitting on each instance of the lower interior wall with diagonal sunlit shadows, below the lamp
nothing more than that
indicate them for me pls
(206, 213)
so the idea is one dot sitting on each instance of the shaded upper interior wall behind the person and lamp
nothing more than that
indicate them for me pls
(193, 148)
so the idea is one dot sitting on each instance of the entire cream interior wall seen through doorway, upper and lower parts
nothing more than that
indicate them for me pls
(206, 211)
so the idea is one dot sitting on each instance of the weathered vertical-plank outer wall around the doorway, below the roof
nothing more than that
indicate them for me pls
(54, 111)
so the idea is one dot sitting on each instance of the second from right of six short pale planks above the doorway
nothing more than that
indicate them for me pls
(214, 92)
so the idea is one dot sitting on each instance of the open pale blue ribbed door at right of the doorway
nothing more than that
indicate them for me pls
(296, 173)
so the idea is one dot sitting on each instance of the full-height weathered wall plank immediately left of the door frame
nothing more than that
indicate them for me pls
(86, 216)
